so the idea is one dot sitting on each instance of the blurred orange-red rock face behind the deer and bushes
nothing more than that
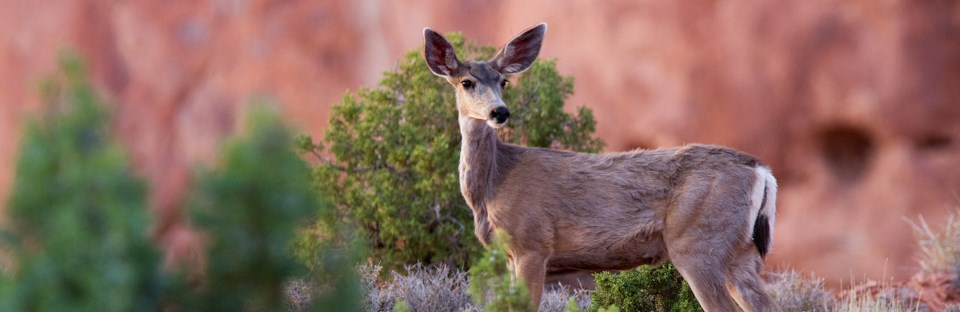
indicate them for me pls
(855, 105)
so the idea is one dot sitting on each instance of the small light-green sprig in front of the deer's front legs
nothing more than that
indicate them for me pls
(492, 282)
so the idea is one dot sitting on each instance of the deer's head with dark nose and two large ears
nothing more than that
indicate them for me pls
(480, 84)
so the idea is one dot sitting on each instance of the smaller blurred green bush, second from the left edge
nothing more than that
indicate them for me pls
(251, 207)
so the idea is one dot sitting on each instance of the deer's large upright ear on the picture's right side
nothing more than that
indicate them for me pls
(520, 52)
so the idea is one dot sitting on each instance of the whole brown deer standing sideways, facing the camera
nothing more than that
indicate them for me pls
(708, 209)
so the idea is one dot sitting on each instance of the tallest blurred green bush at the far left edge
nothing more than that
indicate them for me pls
(78, 221)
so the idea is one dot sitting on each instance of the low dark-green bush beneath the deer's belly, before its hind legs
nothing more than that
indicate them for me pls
(647, 288)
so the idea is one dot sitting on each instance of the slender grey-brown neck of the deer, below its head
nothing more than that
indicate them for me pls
(478, 160)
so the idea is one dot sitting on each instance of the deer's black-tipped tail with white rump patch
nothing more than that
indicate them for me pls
(763, 208)
